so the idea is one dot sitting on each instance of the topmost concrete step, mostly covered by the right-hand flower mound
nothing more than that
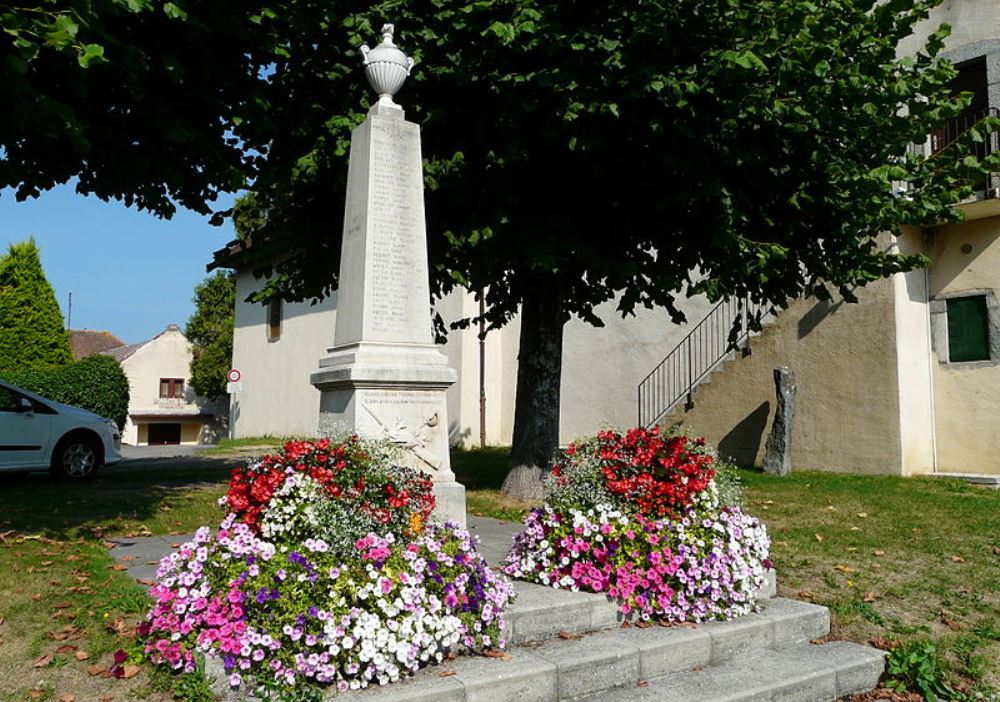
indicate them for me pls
(541, 613)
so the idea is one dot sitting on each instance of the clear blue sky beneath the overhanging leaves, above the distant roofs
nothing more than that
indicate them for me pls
(130, 273)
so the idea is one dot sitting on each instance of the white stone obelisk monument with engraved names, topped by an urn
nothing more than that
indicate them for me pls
(384, 376)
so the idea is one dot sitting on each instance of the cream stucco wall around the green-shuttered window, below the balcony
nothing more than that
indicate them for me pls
(967, 395)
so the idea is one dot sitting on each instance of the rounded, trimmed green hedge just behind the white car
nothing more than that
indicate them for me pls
(96, 383)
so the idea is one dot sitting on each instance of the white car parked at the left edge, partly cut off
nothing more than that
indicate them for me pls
(39, 434)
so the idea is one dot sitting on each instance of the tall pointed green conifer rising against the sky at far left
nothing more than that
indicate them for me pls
(32, 334)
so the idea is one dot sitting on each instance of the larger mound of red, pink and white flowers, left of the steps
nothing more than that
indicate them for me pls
(325, 572)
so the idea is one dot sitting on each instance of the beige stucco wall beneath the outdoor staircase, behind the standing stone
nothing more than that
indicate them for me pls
(843, 356)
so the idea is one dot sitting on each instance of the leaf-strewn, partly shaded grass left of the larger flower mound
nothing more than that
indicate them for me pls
(64, 608)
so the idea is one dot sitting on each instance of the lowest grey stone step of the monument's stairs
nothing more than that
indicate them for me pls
(799, 673)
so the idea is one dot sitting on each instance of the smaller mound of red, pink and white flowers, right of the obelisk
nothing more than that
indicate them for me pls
(641, 517)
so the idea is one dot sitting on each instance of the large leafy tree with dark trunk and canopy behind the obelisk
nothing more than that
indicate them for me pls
(575, 152)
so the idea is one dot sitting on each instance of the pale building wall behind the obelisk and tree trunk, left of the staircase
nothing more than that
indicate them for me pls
(601, 367)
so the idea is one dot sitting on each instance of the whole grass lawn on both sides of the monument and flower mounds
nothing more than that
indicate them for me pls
(904, 559)
